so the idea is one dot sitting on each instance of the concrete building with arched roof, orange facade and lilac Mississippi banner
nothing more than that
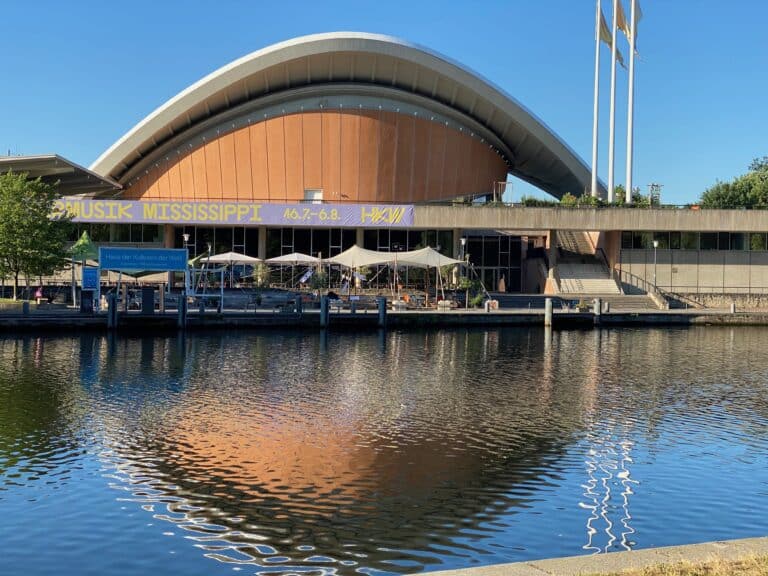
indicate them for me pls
(325, 141)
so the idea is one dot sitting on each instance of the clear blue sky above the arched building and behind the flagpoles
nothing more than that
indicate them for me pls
(77, 75)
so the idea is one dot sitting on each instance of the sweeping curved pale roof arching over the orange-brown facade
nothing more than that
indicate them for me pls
(533, 151)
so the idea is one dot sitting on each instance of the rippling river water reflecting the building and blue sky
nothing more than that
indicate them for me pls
(282, 453)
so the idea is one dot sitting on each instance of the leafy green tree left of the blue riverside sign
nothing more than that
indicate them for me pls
(31, 243)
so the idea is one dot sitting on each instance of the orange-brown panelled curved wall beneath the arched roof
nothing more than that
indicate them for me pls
(351, 155)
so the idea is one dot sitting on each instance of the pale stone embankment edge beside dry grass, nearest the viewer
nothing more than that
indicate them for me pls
(727, 550)
